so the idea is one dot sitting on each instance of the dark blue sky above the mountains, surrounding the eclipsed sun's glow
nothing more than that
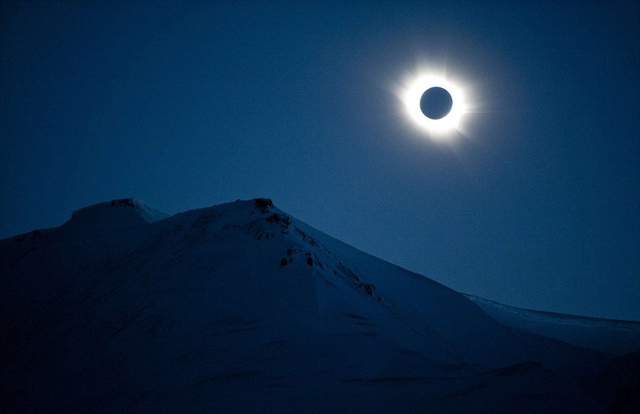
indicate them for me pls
(189, 104)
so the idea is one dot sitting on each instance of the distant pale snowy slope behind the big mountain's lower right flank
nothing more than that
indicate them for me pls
(611, 336)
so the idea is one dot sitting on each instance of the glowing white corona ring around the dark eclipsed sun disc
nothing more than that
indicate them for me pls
(438, 128)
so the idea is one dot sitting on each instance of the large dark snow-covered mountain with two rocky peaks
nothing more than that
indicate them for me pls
(243, 308)
